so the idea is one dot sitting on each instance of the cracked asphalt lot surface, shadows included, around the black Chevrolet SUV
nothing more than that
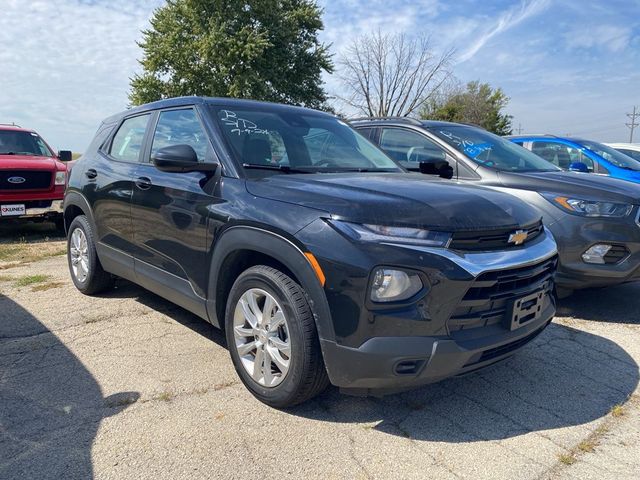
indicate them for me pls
(127, 385)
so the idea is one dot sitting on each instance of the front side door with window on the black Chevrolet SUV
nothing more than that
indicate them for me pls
(170, 210)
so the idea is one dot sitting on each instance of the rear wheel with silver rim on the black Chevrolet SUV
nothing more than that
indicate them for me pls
(85, 268)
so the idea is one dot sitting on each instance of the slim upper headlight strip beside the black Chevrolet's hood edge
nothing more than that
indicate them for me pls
(380, 233)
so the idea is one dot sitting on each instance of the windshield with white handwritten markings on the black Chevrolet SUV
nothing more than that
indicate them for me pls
(275, 138)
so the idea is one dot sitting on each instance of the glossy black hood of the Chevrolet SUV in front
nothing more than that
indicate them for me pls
(398, 199)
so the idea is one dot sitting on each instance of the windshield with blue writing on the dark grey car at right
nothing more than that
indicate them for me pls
(492, 151)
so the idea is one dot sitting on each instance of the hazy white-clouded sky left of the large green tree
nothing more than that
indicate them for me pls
(66, 64)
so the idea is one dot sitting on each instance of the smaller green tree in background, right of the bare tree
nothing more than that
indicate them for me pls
(479, 104)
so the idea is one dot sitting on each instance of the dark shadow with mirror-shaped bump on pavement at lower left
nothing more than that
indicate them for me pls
(50, 404)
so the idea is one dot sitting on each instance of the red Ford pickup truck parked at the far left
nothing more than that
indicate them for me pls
(32, 177)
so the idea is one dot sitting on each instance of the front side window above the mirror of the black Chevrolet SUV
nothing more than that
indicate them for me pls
(181, 127)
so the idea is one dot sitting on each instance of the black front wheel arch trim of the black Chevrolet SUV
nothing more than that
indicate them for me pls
(241, 247)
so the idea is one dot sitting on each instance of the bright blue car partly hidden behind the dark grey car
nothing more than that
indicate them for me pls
(581, 155)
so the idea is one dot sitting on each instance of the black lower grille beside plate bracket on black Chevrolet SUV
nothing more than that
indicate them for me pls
(489, 300)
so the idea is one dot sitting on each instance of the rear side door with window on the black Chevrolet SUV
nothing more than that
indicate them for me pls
(108, 185)
